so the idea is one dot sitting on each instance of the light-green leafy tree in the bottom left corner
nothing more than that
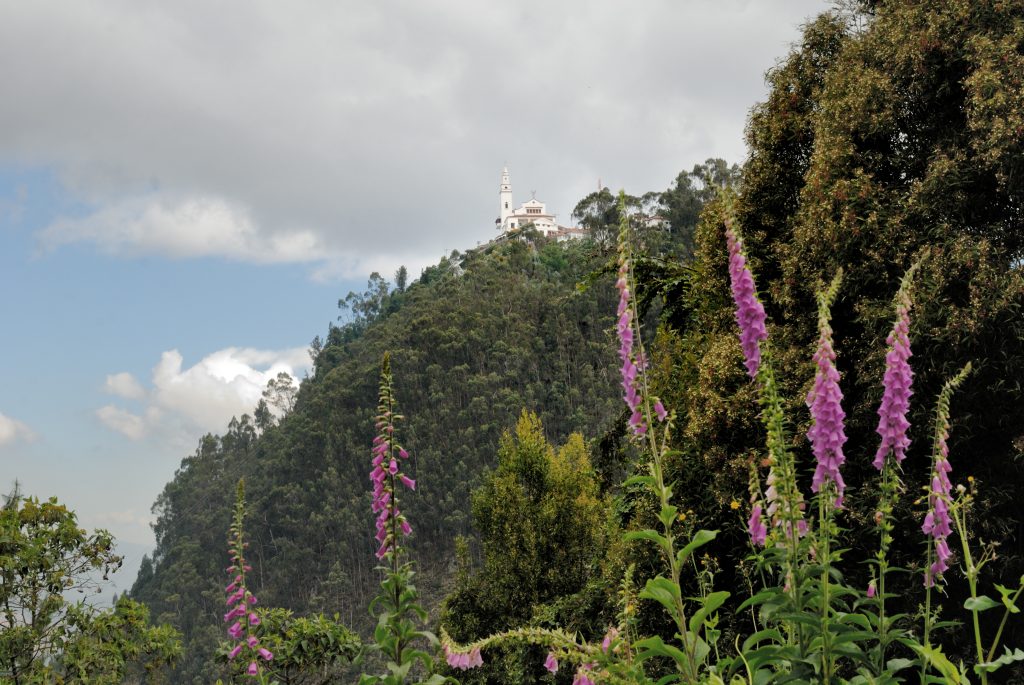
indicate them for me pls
(45, 558)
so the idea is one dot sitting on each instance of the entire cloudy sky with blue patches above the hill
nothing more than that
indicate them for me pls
(188, 189)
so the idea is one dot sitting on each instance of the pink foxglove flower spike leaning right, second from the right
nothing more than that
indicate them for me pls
(897, 382)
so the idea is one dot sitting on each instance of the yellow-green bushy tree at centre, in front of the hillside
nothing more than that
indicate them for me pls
(542, 522)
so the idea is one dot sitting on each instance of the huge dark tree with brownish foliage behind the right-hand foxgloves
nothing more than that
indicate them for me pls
(876, 147)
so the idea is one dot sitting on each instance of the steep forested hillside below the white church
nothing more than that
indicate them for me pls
(475, 341)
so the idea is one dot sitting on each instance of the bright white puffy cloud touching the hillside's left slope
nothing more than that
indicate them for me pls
(202, 398)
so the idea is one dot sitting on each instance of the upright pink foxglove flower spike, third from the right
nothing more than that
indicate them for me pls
(827, 433)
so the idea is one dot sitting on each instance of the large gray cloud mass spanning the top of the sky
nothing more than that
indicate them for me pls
(346, 135)
